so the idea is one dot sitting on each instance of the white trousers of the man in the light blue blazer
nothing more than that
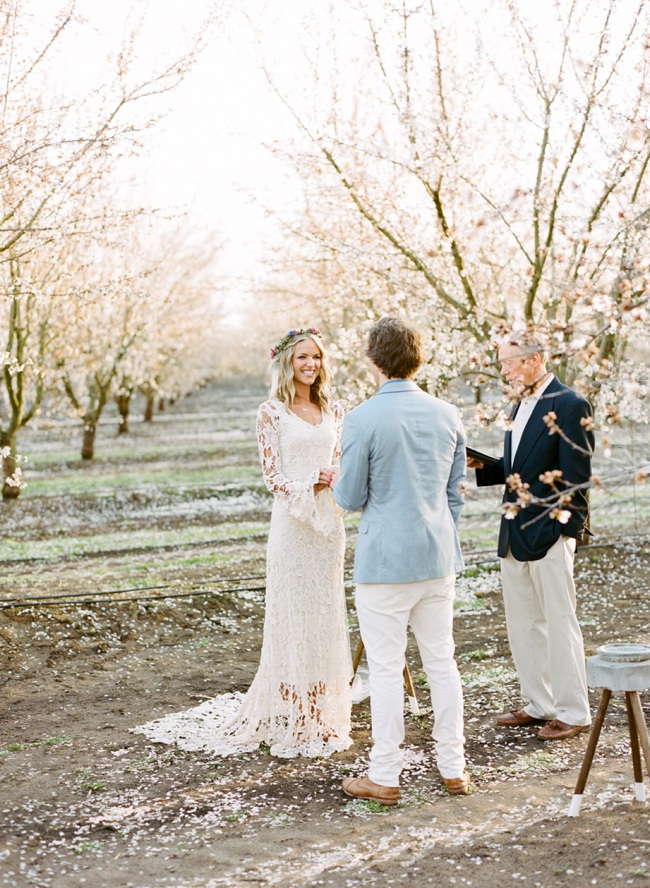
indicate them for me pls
(384, 612)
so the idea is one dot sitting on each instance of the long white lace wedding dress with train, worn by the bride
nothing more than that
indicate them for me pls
(299, 701)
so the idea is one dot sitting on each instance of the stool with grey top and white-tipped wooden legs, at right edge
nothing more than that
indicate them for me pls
(617, 676)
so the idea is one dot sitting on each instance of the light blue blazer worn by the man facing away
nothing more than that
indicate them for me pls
(403, 461)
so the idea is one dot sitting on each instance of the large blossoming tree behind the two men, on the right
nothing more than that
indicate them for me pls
(485, 172)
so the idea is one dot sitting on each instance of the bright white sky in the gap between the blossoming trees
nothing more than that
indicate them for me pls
(212, 152)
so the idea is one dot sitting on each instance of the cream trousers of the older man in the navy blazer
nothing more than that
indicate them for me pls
(544, 634)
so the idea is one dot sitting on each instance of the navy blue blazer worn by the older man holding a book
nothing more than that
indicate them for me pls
(531, 533)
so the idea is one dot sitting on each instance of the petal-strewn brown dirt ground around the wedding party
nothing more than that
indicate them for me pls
(85, 801)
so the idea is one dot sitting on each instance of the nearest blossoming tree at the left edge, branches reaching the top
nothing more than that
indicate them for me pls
(58, 150)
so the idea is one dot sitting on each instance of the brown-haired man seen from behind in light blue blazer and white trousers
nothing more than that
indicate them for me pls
(403, 462)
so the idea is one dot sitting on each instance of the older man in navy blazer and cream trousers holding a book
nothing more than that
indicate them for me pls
(537, 543)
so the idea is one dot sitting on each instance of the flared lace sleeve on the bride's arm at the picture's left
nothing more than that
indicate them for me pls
(299, 494)
